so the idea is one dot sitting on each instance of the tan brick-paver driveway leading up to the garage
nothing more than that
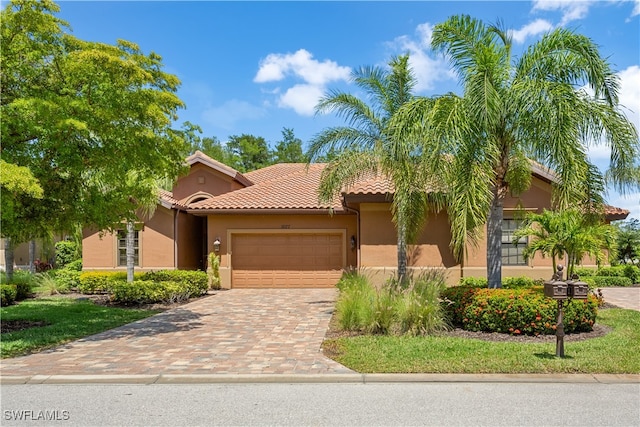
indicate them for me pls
(243, 331)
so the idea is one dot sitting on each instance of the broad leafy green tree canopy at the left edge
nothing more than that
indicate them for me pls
(78, 116)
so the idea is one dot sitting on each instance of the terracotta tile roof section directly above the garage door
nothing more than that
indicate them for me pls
(282, 186)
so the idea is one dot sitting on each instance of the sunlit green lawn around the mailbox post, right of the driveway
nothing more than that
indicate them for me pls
(615, 353)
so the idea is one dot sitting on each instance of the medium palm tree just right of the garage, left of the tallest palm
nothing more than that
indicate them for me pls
(367, 148)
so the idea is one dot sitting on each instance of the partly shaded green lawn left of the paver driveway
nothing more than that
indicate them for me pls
(67, 320)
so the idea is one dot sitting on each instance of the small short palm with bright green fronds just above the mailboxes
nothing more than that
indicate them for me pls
(569, 232)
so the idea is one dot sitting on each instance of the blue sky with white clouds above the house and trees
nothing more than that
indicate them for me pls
(258, 67)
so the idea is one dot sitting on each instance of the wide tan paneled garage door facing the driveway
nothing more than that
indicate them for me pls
(286, 260)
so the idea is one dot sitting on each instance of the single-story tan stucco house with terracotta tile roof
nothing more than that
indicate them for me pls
(270, 231)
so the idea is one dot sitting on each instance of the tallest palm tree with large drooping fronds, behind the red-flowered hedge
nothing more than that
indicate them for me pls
(549, 105)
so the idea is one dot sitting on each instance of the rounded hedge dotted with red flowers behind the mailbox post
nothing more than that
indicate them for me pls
(515, 311)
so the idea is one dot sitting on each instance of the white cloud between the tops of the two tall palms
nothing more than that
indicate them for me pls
(428, 70)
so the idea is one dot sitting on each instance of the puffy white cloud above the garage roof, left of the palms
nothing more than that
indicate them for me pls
(301, 65)
